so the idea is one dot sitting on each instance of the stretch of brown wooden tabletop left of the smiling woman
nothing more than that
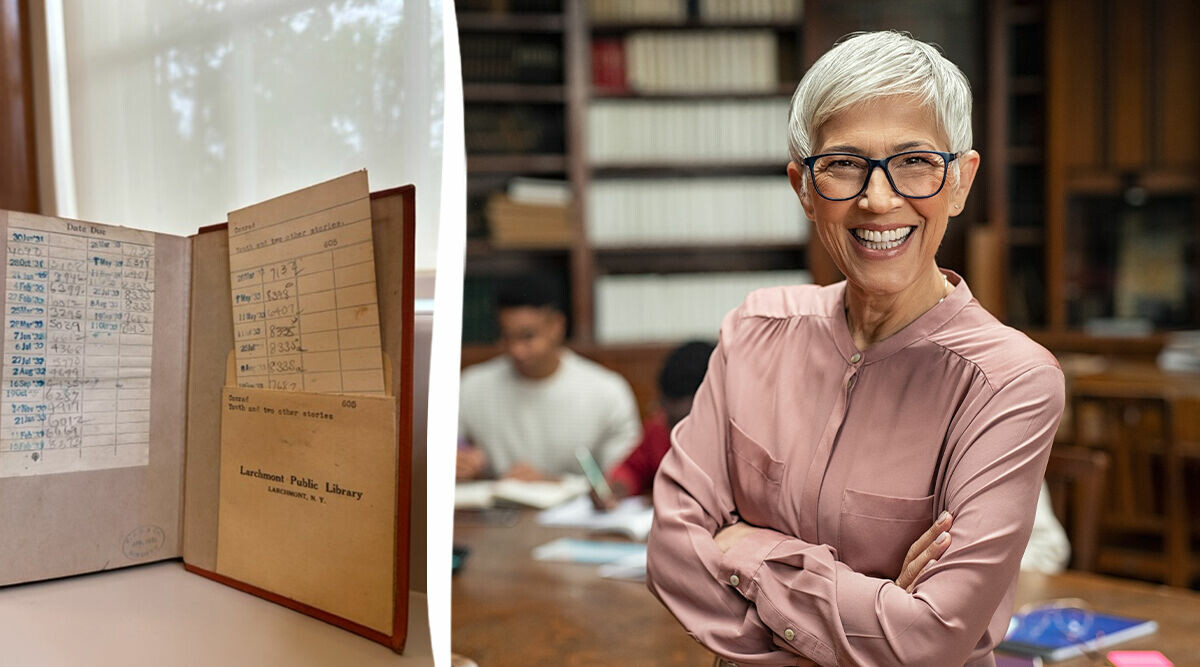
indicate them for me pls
(508, 609)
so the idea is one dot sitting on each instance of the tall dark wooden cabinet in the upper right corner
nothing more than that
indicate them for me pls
(1123, 164)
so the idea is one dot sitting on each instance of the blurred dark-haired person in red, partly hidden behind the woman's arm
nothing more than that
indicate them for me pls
(681, 376)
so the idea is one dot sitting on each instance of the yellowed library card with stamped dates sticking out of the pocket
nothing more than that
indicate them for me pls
(305, 308)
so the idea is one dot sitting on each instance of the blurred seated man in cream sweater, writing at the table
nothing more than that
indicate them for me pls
(525, 413)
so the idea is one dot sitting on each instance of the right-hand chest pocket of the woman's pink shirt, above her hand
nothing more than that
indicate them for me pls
(875, 532)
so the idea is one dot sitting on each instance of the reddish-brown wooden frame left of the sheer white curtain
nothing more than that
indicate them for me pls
(19, 161)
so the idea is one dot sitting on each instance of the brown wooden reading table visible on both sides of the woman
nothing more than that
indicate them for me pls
(511, 610)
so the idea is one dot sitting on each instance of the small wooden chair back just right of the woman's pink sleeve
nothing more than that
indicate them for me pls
(1077, 479)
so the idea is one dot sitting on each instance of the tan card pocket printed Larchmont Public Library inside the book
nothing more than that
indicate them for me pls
(309, 500)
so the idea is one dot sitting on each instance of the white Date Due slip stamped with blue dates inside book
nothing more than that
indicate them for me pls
(79, 331)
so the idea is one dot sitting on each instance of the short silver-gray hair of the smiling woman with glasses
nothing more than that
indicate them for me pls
(869, 65)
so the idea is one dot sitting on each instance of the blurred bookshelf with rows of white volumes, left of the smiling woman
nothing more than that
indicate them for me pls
(622, 197)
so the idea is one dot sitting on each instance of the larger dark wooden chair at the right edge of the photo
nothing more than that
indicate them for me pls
(1145, 528)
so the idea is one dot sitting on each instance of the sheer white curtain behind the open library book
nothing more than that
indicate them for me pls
(182, 111)
